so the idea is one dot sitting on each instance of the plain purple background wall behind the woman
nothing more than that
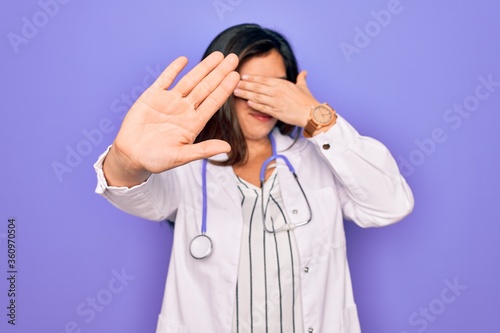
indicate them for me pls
(67, 78)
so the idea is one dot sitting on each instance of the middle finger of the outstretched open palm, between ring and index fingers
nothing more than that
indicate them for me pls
(213, 80)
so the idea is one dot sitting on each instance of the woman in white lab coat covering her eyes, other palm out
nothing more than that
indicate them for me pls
(275, 259)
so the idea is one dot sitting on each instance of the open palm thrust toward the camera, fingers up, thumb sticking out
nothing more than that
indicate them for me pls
(158, 131)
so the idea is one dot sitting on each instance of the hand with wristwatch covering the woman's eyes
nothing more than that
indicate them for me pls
(291, 103)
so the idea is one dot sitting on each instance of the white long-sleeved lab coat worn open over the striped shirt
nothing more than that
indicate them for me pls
(344, 175)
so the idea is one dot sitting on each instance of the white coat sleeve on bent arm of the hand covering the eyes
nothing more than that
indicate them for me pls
(372, 191)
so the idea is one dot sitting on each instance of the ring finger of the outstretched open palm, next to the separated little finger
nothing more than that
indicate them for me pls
(198, 73)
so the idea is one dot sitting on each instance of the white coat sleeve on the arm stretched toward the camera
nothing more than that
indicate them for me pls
(156, 199)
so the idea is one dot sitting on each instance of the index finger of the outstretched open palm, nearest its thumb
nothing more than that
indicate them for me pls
(215, 100)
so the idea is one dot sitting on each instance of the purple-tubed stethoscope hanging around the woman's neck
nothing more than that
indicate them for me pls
(201, 246)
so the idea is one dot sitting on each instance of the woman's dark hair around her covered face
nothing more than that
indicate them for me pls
(246, 41)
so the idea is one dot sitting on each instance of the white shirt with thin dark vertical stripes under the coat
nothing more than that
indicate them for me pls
(268, 288)
